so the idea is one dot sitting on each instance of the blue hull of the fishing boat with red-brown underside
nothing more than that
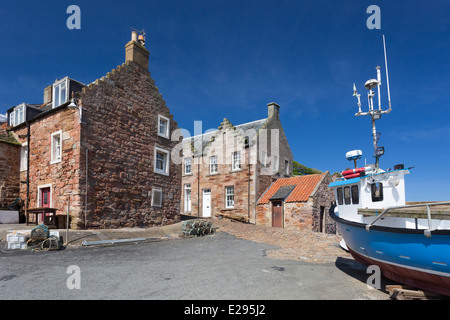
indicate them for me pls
(403, 255)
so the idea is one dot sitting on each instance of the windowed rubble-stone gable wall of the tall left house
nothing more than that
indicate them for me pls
(121, 115)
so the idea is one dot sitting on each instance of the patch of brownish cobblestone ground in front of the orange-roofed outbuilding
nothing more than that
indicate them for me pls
(302, 245)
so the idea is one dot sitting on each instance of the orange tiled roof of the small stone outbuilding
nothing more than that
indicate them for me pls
(305, 185)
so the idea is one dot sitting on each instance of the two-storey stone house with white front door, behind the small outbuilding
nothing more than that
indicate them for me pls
(227, 170)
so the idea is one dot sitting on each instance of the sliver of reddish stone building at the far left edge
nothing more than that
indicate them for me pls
(9, 167)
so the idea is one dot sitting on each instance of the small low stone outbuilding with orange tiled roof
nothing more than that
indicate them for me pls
(300, 202)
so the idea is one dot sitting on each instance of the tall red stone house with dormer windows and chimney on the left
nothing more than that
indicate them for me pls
(104, 146)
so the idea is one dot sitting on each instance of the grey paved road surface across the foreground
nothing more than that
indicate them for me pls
(212, 267)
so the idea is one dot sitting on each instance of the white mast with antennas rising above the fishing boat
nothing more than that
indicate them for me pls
(375, 114)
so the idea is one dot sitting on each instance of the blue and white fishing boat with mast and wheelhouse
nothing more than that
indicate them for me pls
(409, 242)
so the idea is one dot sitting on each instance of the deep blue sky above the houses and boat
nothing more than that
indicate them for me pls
(215, 59)
